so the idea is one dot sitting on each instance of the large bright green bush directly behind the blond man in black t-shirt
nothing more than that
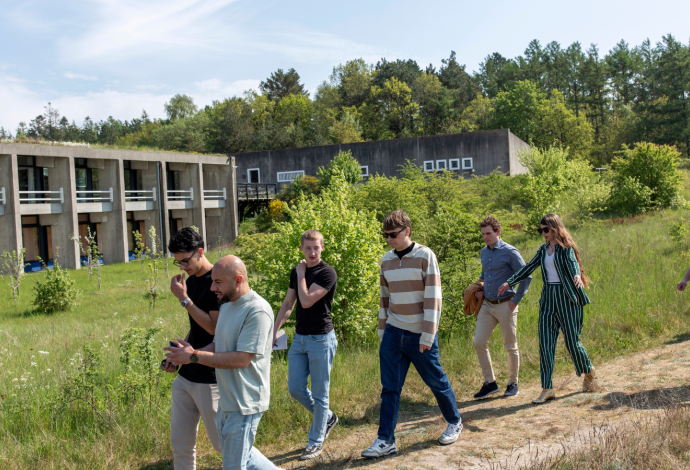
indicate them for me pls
(353, 247)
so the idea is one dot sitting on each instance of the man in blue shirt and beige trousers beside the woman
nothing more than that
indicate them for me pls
(499, 262)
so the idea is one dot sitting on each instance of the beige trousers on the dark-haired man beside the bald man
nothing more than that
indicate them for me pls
(190, 402)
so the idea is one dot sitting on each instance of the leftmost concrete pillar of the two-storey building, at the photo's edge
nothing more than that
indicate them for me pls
(11, 221)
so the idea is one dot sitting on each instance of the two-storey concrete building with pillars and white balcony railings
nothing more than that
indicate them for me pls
(50, 193)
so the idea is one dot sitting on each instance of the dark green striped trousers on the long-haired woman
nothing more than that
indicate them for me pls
(557, 311)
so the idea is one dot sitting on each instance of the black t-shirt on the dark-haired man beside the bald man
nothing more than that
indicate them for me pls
(199, 290)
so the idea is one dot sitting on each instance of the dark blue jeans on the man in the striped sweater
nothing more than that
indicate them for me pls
(398, 349)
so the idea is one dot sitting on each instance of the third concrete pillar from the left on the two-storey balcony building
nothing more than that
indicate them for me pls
(113, 224)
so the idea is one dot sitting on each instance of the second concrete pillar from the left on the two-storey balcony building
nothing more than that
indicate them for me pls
(62, 176)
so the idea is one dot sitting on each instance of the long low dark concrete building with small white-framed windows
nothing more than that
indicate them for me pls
(470, 153)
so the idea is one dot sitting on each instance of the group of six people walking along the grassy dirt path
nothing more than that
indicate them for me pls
(224, 362)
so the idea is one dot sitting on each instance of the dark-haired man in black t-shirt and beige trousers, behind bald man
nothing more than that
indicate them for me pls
(194, 390)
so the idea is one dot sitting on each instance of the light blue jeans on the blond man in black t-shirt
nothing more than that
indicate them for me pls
(312, 355)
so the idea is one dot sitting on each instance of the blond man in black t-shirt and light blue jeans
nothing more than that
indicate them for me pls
(311, 292)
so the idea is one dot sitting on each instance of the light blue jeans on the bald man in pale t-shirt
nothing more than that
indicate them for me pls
(237, 433)
